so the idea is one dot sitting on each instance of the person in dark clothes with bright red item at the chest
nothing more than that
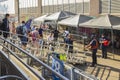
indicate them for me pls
(104, 44)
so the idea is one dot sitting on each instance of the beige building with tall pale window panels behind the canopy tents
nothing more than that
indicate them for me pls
(88, 7)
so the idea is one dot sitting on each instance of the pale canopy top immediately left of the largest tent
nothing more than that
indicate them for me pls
(74, 21)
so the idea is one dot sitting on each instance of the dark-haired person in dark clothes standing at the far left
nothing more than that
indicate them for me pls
(5, 24)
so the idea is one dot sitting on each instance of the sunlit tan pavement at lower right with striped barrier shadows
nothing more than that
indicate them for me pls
(106, 69)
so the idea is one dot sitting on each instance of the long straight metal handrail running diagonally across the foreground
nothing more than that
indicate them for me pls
(37, 60)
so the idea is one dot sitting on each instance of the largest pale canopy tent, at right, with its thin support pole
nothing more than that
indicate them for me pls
(103, 22)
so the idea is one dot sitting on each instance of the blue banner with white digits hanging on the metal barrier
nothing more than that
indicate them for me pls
(58, 66)
